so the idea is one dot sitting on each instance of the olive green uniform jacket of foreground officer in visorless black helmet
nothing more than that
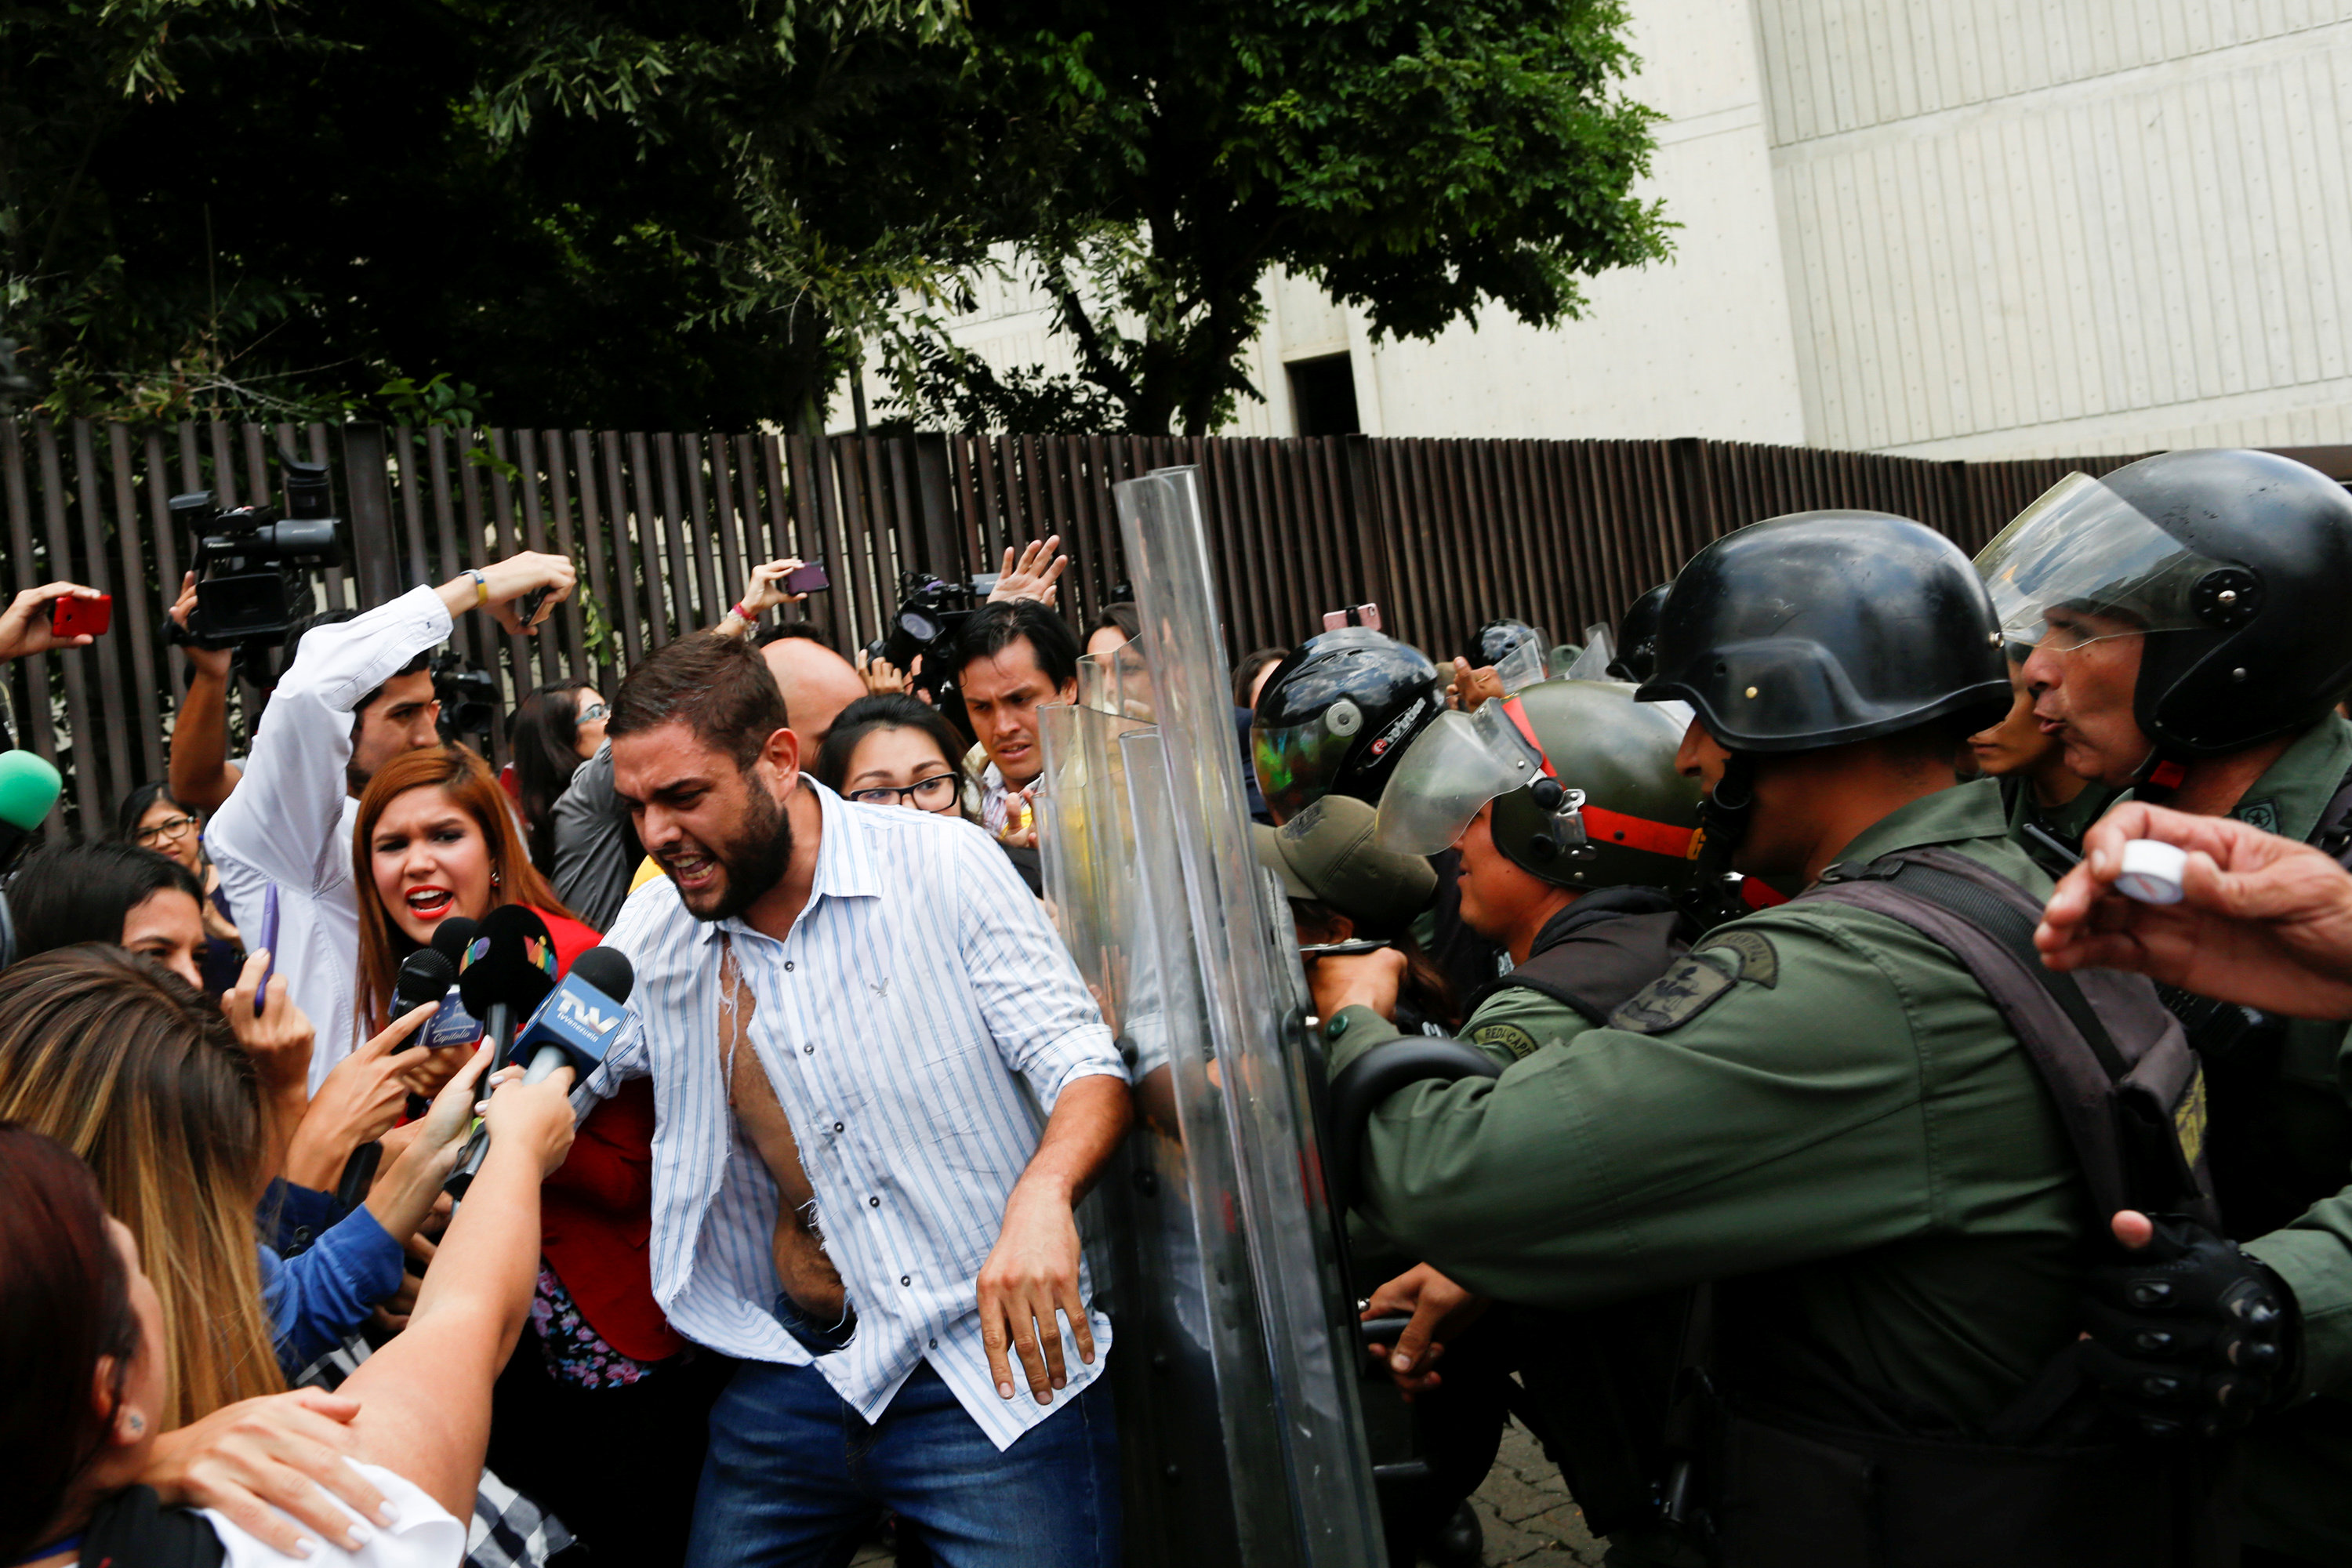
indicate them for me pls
(1819, 1104)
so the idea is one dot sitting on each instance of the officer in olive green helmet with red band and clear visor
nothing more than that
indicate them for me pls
(1575, 836)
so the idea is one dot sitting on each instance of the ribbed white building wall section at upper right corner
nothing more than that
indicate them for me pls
(2080, 227)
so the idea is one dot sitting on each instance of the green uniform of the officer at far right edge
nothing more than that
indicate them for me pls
(2297, 1466)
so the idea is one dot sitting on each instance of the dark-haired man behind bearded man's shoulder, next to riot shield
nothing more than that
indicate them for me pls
(1013, 659)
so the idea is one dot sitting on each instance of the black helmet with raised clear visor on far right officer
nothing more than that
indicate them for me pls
(2233, 568)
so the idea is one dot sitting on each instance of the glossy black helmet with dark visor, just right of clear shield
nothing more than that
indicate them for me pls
(1337, 716)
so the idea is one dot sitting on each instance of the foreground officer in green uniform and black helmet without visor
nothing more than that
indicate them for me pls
(1824, 1108)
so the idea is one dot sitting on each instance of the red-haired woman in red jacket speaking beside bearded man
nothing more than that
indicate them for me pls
(599, 1372)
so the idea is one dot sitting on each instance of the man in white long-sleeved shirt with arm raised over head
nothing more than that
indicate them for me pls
(352, 699)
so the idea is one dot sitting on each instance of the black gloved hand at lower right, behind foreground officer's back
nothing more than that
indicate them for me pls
(2189, 1334)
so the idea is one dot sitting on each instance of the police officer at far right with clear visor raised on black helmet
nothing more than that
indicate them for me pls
(2191, 641)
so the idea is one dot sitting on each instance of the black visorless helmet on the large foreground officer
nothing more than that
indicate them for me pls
(1824, 629)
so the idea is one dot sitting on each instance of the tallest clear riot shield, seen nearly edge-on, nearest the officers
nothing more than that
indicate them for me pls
(1297, 1461)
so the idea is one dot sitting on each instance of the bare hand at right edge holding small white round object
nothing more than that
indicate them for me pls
(2261, 920)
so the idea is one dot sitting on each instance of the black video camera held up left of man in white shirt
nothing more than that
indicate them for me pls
(248, 561)
